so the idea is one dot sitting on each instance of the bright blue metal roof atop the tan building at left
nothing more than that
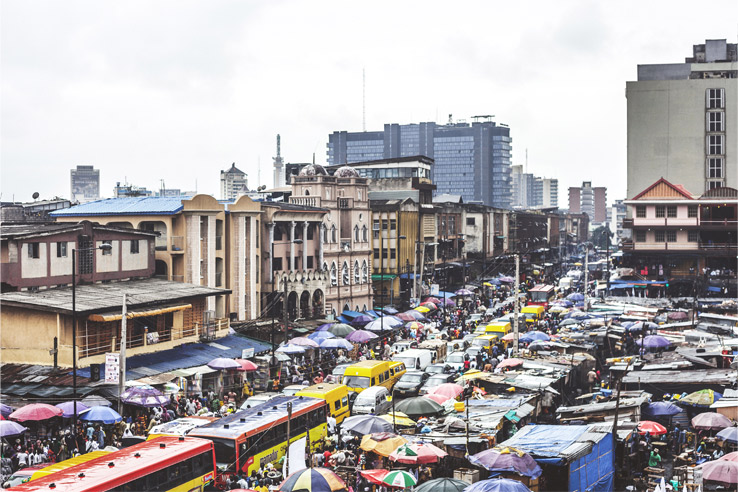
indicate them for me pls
(140, 205)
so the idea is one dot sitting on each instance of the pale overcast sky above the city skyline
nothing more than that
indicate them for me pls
(178, 90)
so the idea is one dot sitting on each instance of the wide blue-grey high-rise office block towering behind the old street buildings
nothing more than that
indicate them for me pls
(471, 160)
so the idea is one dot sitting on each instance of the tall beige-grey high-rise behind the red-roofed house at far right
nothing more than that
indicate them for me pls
(683, 120)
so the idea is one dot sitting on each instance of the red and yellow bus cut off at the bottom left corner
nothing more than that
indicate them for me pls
(168, 463)
